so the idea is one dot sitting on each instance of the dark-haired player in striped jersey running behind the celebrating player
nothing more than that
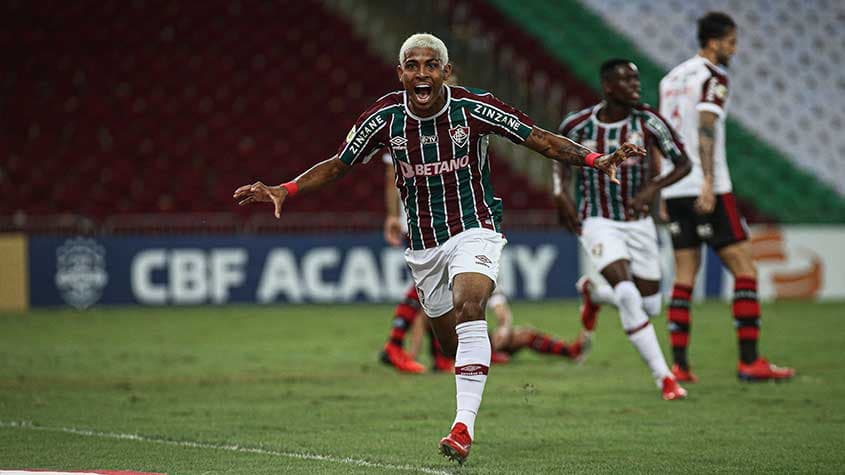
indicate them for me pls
(612, 219)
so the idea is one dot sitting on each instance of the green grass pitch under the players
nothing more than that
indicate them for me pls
(304, 380)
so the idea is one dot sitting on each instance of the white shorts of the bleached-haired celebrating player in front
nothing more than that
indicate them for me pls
(474, 250)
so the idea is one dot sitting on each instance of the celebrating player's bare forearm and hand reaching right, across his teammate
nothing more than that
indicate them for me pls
(568, 152)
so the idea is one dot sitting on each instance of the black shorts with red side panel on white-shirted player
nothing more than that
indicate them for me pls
(722, 227)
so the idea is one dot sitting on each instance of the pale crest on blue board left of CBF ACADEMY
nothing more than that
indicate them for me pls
(81, 272)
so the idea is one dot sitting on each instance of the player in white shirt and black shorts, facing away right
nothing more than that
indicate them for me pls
(701, 207)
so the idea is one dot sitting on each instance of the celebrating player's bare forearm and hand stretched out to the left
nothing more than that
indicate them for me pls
(314, 178)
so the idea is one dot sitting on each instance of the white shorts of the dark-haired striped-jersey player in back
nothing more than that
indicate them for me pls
(607, 241)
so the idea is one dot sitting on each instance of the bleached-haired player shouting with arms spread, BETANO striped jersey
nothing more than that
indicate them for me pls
(438, 136)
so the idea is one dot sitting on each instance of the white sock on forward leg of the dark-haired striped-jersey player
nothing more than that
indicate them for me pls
(639, 330)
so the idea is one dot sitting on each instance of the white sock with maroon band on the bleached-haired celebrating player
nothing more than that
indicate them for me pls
(471, 364)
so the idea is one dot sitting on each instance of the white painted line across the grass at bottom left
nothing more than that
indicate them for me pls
(226, 447)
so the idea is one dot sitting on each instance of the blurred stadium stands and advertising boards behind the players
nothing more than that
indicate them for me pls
(126, 126)
